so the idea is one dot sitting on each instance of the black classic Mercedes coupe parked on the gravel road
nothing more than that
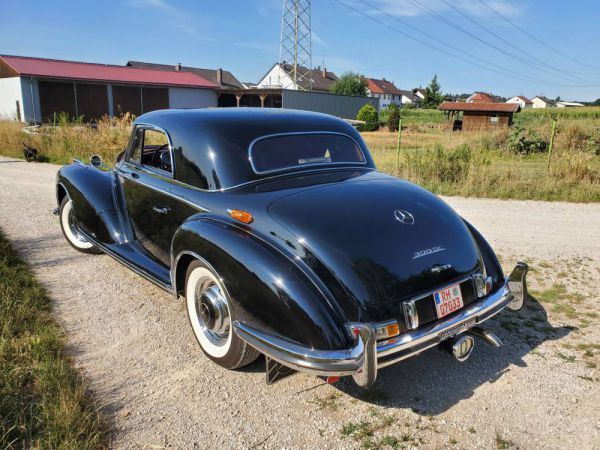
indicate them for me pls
(284, 239)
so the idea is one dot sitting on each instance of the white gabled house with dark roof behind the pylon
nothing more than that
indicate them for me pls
(280, 76)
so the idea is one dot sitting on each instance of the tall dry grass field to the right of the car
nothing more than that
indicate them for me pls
(479, 164)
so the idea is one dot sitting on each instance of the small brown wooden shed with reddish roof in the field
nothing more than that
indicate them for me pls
(481, 115)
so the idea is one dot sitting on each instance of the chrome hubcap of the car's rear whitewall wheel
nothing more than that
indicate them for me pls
(212, 312)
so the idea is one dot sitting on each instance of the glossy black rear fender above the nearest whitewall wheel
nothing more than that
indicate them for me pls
(268, 291)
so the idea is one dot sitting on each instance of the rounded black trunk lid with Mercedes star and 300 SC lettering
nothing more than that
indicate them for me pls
(380, 238)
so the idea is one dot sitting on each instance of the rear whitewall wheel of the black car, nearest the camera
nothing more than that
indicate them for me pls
(211, 317)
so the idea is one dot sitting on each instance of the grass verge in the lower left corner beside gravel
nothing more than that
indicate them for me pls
(43, 401)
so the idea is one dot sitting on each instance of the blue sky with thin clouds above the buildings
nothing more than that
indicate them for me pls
(243, 37)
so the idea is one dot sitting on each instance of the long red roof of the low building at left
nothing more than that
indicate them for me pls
(52, 68)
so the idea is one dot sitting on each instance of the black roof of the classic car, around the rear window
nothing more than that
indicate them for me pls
(225, 134)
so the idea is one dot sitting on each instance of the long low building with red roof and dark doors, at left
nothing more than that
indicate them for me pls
(36, 90)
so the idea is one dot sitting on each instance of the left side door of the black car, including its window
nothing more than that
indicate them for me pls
(146, 178)
